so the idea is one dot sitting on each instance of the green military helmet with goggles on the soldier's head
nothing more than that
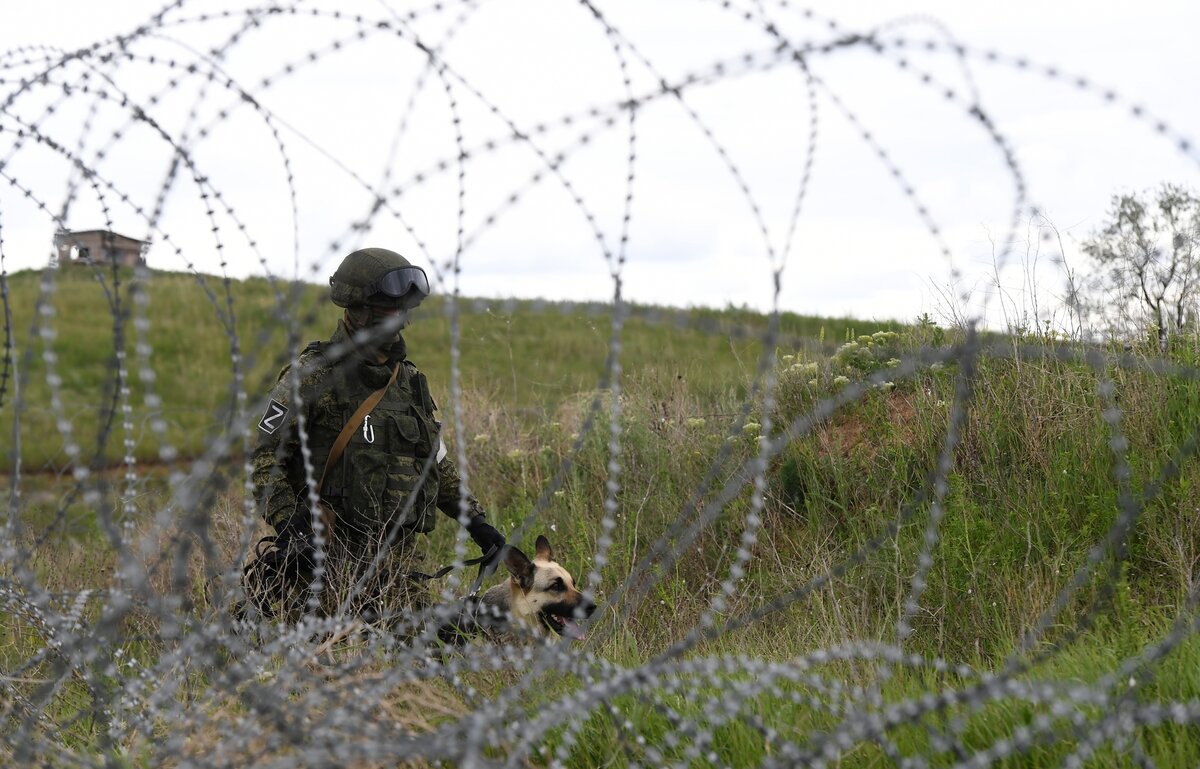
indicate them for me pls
(379, 278)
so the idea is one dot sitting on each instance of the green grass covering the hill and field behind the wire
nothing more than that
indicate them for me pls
(1031, 490)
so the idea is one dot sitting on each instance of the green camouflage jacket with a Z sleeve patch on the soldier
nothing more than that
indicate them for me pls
(394, 471)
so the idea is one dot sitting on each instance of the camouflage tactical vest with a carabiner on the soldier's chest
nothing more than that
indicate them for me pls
(388, 473)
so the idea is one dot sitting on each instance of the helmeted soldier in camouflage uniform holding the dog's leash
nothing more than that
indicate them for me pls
(352, 429)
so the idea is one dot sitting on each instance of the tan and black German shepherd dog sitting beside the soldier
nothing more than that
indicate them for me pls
(539, 599)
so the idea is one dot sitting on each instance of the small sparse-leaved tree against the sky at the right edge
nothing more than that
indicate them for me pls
(1149, 260)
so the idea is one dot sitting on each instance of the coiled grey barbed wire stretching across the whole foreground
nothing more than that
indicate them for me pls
(154, 664)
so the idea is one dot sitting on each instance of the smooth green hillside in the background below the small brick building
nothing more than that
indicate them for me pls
(208, 343)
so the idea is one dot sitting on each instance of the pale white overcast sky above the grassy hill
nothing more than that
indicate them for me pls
(716, 164)
